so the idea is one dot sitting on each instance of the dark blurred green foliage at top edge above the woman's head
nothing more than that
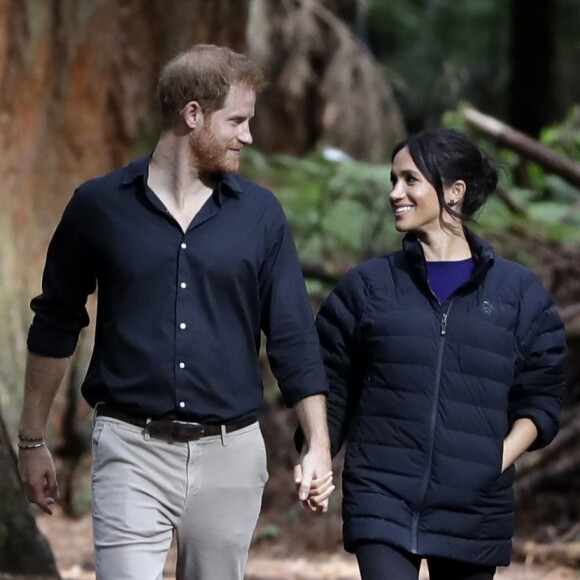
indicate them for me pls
(441, 51)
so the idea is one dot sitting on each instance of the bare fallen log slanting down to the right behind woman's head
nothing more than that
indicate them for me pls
(524, 145)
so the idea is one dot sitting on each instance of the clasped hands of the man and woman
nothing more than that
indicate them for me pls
(313, 478)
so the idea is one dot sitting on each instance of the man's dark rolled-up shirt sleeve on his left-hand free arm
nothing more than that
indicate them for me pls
(60, 311)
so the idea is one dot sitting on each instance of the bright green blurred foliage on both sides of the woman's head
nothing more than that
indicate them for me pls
(339, 212)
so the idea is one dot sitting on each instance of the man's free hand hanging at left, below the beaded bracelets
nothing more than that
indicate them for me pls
(38, 476)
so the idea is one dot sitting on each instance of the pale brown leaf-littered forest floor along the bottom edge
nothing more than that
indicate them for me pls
(71, 541)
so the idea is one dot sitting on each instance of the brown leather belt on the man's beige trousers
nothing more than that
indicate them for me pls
(179, 431)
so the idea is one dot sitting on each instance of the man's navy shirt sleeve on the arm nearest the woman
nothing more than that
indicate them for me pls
(288, 321)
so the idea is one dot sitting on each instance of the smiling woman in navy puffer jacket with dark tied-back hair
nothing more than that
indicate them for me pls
(445, 364)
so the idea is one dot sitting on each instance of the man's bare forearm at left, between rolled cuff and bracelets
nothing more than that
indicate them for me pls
(42, 378)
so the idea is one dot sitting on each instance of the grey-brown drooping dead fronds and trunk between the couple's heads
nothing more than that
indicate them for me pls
(325, 88)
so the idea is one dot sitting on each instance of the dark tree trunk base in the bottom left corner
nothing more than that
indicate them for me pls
(23, 549)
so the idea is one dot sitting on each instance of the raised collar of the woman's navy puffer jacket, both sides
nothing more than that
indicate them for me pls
(482, 252)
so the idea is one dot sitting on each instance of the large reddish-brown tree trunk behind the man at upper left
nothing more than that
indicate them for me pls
(77, 88)
